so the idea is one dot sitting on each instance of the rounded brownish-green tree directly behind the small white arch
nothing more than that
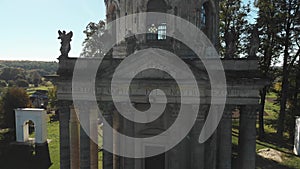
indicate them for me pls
(12, 98)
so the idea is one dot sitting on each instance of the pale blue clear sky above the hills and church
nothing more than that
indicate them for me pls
(28, 29)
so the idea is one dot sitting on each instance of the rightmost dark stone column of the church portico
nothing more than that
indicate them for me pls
(247, 137)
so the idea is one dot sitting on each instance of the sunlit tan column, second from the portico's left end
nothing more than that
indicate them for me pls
(74, 139)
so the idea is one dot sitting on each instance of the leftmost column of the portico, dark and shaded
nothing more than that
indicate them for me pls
(64, 117)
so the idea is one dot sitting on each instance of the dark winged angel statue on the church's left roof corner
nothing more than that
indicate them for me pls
(65, 42)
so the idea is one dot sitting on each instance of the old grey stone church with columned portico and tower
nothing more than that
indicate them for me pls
(243, 84)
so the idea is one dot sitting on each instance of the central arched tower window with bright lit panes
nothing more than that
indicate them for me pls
(156, 27)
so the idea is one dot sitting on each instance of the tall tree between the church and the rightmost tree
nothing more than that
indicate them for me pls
(269, 48)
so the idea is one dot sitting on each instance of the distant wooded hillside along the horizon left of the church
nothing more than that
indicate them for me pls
(44, 68)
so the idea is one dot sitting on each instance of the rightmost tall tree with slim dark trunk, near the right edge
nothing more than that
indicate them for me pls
(288, 21)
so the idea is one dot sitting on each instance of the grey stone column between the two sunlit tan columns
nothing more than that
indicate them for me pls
(84, 116)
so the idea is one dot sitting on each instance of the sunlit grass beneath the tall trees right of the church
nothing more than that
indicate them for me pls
(290, 161)
